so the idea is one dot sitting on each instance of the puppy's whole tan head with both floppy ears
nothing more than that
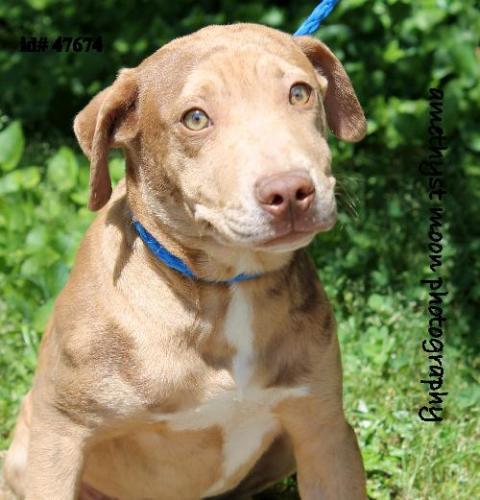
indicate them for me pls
(225, 131)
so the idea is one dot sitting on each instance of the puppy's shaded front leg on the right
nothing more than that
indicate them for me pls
(329, 464)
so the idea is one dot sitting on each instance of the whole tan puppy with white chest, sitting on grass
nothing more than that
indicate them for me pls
(155, 385)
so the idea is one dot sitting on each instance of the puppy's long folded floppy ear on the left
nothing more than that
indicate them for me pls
(109, 120)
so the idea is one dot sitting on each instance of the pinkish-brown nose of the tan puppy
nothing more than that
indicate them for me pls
(289, 192)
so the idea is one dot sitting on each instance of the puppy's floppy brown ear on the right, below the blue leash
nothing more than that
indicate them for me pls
(344, 114)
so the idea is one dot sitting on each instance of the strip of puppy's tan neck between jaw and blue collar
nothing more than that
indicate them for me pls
(206, 258)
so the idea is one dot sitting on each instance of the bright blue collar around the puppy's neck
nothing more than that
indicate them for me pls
(173, 262)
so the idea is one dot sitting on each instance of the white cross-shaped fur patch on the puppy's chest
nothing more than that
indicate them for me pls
(236, 402)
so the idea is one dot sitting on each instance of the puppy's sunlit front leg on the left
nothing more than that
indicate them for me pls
(55, 456)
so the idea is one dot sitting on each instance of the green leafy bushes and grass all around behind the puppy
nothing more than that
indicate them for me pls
(371, 263)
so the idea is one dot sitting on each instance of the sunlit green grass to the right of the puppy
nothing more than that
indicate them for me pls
(405, 457)
